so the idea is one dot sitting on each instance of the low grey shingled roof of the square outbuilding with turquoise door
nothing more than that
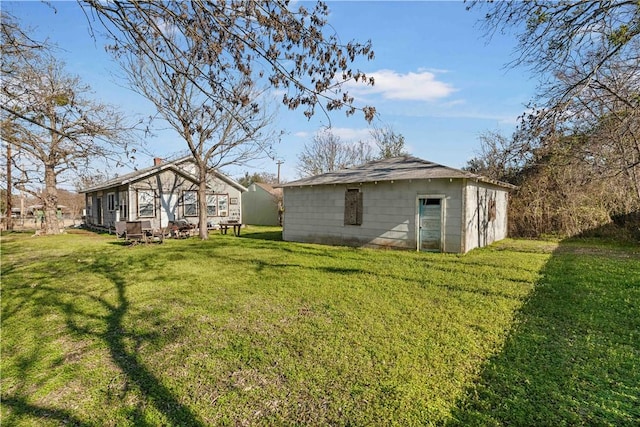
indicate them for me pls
(393, 169)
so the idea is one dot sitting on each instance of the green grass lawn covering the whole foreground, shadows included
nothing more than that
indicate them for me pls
(256, 331)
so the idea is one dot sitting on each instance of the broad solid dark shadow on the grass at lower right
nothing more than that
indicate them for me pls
(573, 356)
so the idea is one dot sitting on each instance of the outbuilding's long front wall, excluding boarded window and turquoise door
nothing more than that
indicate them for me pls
(316, 214)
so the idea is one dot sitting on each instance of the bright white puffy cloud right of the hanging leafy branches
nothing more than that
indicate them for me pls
(422, 85)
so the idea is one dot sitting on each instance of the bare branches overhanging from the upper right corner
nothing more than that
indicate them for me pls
(587, 56)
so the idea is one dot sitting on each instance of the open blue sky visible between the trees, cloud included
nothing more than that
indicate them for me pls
(439, 81)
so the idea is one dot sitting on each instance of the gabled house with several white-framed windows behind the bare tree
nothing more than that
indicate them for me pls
(164, 192)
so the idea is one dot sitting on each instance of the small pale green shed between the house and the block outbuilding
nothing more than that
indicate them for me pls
(262, 204)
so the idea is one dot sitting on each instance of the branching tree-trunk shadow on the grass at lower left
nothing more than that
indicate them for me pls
(116, 336)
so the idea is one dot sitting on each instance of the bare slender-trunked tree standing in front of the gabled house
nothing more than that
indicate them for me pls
(217, 132)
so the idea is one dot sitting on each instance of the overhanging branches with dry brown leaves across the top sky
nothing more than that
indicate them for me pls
(262, 40)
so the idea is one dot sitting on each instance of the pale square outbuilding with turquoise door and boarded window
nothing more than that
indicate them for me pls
(401, 202)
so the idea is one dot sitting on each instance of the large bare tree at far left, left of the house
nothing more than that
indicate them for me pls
(58, 131)
